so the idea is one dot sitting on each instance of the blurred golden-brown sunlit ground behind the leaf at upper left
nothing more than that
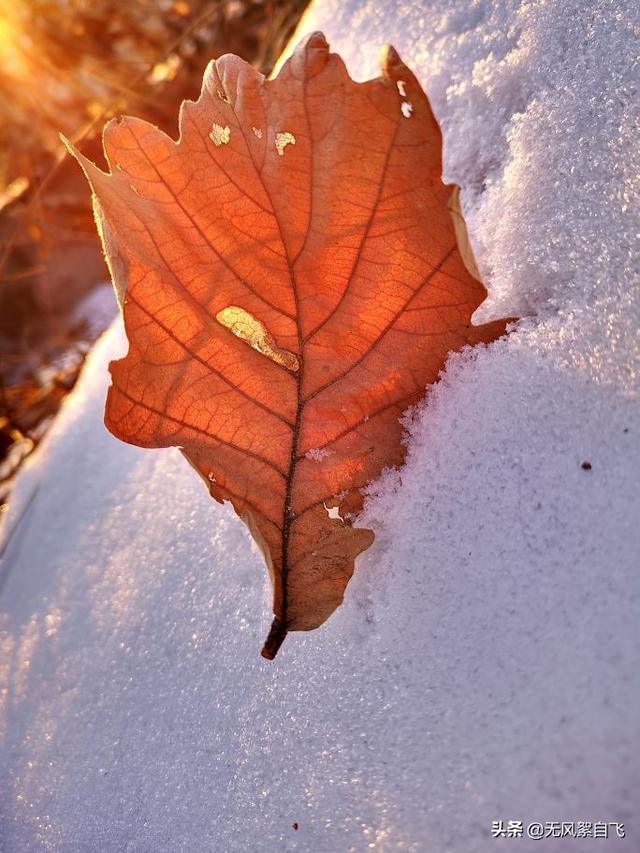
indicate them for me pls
(67, 66)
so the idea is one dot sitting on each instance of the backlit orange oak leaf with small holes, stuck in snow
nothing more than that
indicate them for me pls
(291, 283)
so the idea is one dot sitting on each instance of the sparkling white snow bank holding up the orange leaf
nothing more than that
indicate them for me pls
(484, 664)
